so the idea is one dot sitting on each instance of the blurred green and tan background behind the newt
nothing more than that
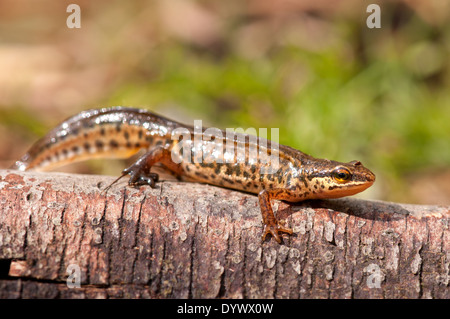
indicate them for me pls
(335, 88)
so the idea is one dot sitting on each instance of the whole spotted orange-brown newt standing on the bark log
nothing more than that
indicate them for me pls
(121, 132)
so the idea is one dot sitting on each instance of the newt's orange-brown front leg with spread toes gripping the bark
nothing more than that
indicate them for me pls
(271, 224)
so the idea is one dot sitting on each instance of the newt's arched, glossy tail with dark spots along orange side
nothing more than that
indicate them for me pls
(116, 132)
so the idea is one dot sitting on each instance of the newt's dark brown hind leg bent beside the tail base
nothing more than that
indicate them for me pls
(140, 170)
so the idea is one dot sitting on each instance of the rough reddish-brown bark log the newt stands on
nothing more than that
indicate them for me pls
(186, 240)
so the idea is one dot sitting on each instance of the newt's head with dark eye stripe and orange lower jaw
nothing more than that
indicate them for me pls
(331, 179)
